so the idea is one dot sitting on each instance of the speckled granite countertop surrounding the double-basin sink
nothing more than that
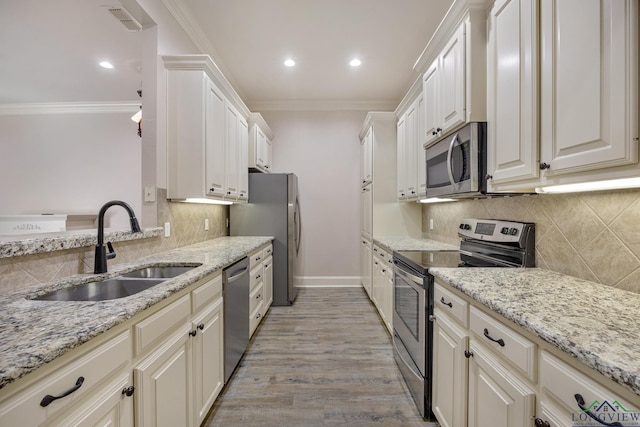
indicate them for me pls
(33, 333)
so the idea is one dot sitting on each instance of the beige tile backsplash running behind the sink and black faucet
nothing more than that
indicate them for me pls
(187, 227)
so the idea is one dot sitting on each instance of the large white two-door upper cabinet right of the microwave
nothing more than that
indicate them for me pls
(572, 117)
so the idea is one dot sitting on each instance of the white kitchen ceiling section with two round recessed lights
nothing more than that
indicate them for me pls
(250, 39)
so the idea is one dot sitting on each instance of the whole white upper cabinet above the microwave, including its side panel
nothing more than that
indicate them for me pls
(454, 83)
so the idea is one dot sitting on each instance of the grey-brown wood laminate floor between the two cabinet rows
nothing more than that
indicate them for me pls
(324, 361)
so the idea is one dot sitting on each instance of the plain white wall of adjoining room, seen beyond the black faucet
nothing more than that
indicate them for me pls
(69, 163)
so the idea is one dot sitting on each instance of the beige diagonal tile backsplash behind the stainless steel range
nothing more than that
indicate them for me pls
(595, 236)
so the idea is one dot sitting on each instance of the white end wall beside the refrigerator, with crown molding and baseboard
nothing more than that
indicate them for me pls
(323, 149)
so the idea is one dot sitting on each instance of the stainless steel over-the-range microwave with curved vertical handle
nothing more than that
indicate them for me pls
(457, 163)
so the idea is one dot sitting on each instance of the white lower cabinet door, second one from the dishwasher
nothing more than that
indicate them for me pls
(163, 386)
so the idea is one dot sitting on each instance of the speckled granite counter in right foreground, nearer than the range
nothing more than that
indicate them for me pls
(598, 325)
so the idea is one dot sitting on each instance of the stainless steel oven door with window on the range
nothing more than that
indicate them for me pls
(409, 311)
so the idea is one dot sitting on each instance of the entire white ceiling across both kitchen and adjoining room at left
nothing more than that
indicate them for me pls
(55, 46)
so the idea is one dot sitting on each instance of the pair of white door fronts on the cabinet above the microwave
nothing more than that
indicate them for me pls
(444, 88)
